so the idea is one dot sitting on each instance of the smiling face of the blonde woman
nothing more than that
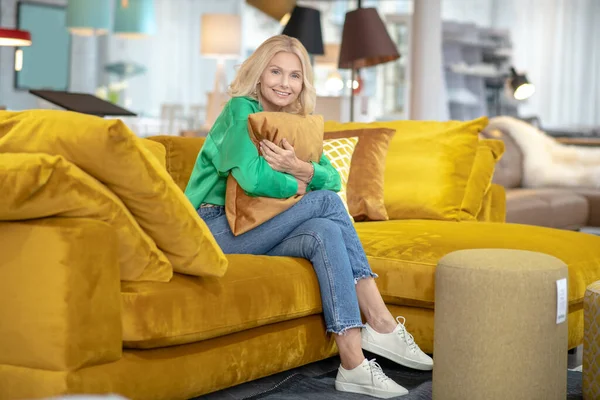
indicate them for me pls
(281, 82)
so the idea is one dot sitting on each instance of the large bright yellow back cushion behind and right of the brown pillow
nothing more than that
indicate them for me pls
(428, 166)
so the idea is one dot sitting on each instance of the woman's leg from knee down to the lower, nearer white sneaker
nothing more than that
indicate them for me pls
(320, 241)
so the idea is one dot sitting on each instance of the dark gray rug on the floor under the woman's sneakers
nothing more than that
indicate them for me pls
(316, 382)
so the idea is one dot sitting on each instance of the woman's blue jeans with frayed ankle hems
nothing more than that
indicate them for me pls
(318, 229)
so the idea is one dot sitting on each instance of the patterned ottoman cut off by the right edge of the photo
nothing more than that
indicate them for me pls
(591, 342)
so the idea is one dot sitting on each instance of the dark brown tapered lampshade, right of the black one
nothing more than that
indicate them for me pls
(365, 41)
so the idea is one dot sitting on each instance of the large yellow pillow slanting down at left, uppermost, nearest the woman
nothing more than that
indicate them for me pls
(111, 153)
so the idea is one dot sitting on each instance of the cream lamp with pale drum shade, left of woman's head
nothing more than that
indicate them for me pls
(221, 39)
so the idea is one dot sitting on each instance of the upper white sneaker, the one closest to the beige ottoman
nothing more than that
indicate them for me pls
(398, 346)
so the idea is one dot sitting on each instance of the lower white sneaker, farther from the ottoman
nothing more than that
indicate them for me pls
(368, 378)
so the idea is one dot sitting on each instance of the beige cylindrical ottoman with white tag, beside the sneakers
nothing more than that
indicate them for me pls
(500, 327)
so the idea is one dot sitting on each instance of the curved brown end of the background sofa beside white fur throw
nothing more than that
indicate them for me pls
(509, 170)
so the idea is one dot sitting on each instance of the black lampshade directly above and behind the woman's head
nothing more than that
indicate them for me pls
(305, 25)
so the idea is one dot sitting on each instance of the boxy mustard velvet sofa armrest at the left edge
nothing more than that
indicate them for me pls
(60, 303)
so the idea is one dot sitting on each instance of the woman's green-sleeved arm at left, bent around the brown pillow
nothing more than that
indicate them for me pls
(238, 155)
